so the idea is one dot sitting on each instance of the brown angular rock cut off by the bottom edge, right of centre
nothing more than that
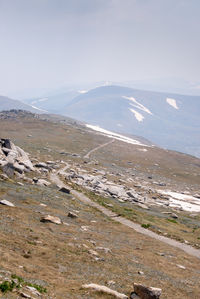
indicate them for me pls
(146, 292)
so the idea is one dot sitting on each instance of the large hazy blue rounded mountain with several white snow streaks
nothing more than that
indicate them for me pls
(168, 120)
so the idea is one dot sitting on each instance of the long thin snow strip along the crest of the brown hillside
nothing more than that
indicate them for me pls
(115, 135)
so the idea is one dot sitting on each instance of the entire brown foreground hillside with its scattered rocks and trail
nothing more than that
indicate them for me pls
(108, 182)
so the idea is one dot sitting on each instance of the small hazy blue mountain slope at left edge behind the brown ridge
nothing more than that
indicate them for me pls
(8, 104)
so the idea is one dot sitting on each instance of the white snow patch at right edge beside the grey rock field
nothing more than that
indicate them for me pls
(185, 202)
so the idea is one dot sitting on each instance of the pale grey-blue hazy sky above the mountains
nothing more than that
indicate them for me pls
(49, 43)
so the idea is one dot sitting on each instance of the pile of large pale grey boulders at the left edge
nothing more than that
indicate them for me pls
(13, 158)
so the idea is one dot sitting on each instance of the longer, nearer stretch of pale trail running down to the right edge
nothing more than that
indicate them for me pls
(187, 248)
